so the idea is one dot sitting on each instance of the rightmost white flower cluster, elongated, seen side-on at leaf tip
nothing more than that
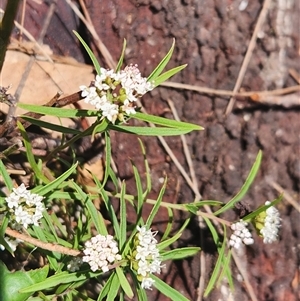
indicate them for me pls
(271, 224)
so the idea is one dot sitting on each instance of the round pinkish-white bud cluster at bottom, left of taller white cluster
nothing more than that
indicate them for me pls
(100, 251)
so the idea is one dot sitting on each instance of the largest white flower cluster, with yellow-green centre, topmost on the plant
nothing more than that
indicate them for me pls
(114, 93)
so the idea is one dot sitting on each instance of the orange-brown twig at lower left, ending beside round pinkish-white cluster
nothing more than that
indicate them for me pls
(40, 244)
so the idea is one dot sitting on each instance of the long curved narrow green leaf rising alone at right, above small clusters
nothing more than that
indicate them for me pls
(251, 176)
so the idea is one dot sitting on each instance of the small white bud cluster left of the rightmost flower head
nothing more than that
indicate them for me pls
(241, 235)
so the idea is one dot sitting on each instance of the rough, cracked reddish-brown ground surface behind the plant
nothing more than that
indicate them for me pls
(212, 38)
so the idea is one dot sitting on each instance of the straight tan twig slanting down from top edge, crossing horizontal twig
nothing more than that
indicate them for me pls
(248, 55)
